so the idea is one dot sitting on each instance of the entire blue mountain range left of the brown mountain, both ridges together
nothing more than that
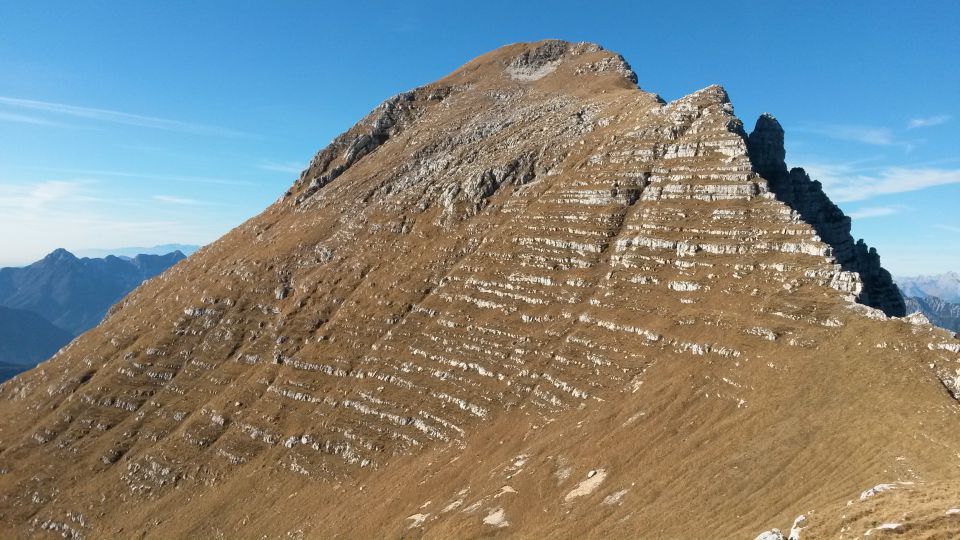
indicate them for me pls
(46, 304)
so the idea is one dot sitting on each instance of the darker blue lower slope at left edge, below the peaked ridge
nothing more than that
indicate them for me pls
(26, 339)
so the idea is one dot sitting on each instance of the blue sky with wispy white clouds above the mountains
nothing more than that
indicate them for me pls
(135, 123)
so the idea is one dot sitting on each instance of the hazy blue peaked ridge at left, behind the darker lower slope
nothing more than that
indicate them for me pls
(73, 293)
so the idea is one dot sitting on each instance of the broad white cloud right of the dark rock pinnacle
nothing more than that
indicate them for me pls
(845, 183)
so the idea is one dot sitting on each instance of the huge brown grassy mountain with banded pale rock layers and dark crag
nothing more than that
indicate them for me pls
(529, 299)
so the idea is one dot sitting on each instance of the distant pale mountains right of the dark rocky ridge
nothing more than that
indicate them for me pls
(936, 296)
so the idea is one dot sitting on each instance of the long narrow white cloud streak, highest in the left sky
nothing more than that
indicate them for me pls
(117, 117)
